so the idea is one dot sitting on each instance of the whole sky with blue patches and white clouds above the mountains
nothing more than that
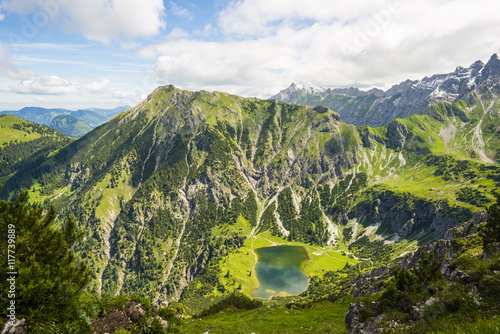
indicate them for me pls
(106, 53)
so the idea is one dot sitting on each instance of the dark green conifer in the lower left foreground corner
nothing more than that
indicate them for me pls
(49, 279)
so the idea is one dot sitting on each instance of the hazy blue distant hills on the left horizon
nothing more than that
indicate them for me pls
(72, 123)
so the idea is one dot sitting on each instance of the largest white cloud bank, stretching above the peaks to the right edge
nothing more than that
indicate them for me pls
(267, 44)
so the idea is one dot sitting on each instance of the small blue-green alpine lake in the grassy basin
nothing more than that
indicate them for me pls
(279, 271)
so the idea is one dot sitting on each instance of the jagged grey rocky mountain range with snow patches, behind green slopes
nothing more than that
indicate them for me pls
(411, 97)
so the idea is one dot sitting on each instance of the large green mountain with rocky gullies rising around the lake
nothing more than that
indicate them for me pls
(183, 187)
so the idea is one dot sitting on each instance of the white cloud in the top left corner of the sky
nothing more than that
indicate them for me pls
(99, 20)
